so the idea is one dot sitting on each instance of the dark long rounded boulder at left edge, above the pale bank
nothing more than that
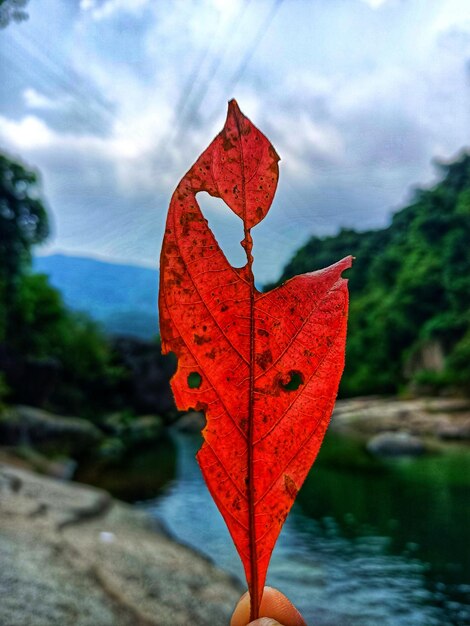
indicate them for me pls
(28, 426)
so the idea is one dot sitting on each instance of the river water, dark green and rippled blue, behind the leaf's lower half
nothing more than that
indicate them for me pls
(367, 542)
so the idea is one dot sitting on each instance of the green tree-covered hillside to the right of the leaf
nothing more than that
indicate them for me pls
(409, 285)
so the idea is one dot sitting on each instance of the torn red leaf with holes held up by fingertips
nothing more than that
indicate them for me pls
(265, 367)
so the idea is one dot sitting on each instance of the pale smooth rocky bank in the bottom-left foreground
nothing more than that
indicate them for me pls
(72, 555)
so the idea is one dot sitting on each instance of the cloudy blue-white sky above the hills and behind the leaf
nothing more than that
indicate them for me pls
(113, 100)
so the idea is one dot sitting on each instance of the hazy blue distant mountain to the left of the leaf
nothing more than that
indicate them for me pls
(123, 298)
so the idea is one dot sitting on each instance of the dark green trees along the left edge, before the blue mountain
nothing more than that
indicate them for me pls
(34, 322)
